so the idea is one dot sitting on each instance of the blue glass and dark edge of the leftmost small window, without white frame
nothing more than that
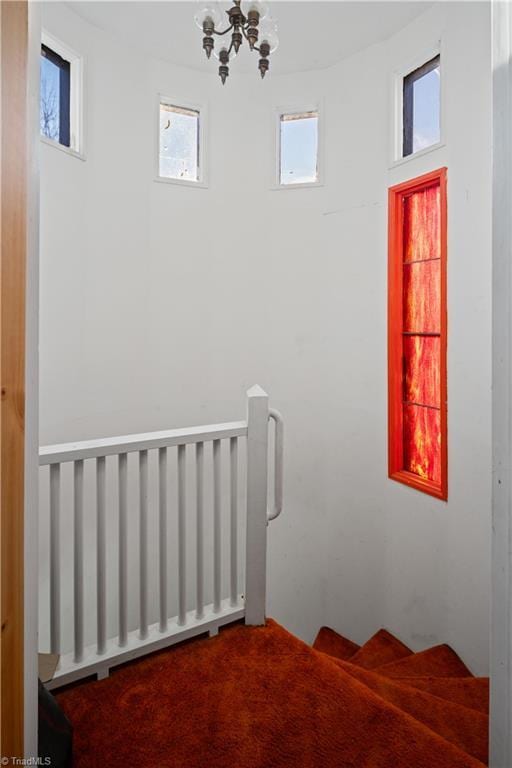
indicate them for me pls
(55, 97)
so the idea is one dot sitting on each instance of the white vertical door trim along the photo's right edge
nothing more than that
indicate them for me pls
(500, 736)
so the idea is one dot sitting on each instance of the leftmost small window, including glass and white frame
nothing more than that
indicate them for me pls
(60, 95)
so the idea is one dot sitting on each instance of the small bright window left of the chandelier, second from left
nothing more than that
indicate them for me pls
(179, 143)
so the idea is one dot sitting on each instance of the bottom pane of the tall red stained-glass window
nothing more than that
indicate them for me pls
(422, 442)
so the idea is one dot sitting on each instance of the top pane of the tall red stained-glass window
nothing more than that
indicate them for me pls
(422, 225)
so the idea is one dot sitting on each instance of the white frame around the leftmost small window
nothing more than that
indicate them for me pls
(76, 97)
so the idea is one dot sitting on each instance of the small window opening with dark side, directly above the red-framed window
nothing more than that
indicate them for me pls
(422, 107)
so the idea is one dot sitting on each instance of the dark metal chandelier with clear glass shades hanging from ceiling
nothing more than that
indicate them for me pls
(257, 27)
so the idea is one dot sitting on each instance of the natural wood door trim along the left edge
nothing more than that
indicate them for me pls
(13, 242)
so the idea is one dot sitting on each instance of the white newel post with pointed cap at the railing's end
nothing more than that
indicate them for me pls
(257, 471)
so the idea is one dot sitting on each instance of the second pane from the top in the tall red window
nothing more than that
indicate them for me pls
(422, 297)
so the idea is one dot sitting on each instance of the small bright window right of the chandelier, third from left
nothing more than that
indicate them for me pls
(298, 148)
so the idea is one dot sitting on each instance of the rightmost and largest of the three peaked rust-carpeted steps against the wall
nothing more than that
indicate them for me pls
(439, 661)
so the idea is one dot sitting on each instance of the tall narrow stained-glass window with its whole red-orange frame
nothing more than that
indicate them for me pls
(417, 334)
